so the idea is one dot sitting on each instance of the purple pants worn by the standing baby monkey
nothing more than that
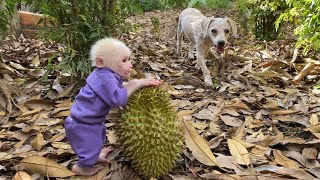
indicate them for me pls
(86, 140)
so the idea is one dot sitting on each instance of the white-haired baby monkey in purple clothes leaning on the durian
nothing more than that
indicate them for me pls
(104, 89)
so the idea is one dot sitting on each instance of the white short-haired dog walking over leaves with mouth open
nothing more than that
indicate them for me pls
(203, 33)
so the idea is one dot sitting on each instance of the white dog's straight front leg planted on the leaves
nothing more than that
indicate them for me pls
(202, 65)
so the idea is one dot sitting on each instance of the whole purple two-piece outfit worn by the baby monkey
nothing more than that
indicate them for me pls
(85, 127)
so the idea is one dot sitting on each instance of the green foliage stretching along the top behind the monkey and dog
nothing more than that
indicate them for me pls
(82, 22)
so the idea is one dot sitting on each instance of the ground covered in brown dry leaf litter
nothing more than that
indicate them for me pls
(260, 121)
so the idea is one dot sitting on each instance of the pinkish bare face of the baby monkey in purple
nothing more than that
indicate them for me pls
(123, 66)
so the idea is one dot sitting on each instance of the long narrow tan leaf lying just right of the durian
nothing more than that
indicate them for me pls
(198, 145)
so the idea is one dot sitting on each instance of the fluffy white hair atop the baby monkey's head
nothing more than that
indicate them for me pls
(107, 48)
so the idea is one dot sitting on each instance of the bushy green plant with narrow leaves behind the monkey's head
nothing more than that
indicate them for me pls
(80, 24)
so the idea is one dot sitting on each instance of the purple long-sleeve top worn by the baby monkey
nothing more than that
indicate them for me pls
(103, 91)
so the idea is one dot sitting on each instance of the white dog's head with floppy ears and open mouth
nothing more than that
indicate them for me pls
(218, 31)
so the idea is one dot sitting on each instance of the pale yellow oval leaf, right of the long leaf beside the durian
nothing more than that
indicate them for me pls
(239, 152)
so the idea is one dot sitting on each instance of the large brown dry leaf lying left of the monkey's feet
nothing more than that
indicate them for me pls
(45, 167)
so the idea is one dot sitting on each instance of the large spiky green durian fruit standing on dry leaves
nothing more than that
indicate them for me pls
(150, 133)
